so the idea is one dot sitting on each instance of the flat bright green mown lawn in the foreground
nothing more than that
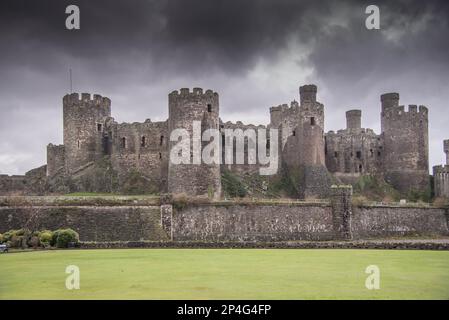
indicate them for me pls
(225, 274)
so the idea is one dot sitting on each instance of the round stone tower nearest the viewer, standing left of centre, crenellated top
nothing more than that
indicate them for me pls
(185, 107)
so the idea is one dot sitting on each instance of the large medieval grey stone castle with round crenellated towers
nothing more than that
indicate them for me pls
(100, 154)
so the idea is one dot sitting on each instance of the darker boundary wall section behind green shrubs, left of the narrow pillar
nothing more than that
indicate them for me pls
(92, 223)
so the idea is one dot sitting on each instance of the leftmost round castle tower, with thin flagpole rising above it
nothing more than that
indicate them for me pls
(83, 129)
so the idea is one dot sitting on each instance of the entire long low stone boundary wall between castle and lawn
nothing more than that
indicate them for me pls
(164, 219)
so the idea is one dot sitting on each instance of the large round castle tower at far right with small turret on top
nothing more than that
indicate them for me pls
(406, 150)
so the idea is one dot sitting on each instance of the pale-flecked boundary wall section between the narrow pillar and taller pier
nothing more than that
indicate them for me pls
(253, 223)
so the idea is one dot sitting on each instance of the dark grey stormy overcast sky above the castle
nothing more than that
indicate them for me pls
(254, 53)
